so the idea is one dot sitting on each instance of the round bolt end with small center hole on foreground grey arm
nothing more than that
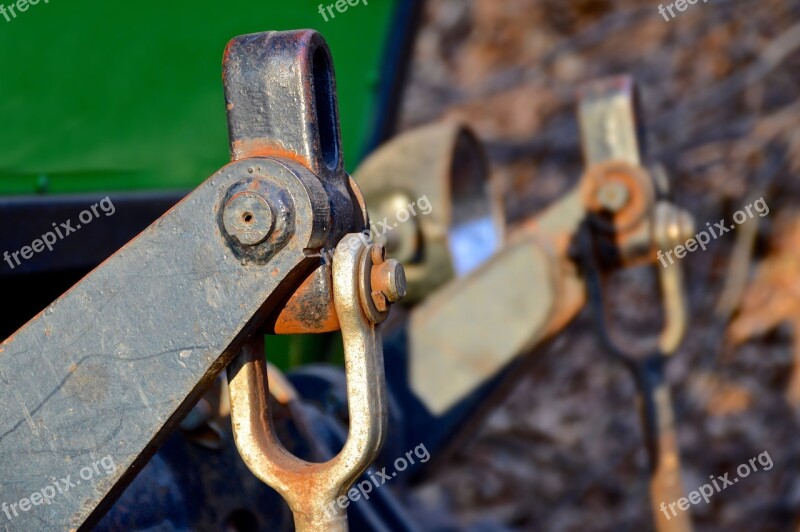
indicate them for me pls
(248, 218)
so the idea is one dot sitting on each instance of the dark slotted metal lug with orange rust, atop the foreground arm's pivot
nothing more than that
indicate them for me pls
(300, 123)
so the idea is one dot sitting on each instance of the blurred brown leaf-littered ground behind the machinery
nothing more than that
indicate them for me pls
(719, 90)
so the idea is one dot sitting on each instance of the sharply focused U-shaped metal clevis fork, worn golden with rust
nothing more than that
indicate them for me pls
(312, 490)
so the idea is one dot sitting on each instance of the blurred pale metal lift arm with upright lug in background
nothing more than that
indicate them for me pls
(552, 292)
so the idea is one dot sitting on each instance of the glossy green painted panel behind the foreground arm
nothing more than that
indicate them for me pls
(99, 96)
